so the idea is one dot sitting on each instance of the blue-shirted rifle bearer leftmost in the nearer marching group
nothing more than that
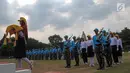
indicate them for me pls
(67, 53)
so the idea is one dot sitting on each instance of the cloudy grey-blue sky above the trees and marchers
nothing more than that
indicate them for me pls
(64, 17)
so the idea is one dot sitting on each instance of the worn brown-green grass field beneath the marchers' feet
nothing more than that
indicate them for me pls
(57, 66)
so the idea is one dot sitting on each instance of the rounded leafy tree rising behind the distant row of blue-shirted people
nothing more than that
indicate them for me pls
(55, 40)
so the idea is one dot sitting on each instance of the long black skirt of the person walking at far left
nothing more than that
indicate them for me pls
(20, 51)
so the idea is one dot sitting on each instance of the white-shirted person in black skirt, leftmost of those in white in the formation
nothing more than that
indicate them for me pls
(83, 49)
